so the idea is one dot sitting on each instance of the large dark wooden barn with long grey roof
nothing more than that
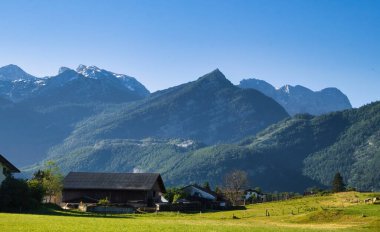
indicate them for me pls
(129, 189)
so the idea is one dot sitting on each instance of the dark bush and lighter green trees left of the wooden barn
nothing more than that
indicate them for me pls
(22, 195)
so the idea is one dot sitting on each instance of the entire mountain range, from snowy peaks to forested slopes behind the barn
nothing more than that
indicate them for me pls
(90, 119)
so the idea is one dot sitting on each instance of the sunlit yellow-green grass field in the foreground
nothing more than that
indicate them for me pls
(337, 212)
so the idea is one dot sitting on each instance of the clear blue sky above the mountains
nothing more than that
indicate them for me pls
(315, 43)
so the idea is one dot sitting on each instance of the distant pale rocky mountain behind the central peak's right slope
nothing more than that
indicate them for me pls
(298, 99)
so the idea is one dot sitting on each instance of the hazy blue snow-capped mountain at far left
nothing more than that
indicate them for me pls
(41, 112)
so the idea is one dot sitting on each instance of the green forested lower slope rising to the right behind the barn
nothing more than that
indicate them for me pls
(291, 155)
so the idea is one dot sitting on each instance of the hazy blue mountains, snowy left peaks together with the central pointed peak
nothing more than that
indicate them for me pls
(210, 109)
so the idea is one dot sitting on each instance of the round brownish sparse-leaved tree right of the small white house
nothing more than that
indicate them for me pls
(234, 184)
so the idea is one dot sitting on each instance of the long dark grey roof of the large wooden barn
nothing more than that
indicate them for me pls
(114, 181)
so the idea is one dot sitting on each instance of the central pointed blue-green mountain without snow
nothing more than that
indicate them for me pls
(210, 109)
